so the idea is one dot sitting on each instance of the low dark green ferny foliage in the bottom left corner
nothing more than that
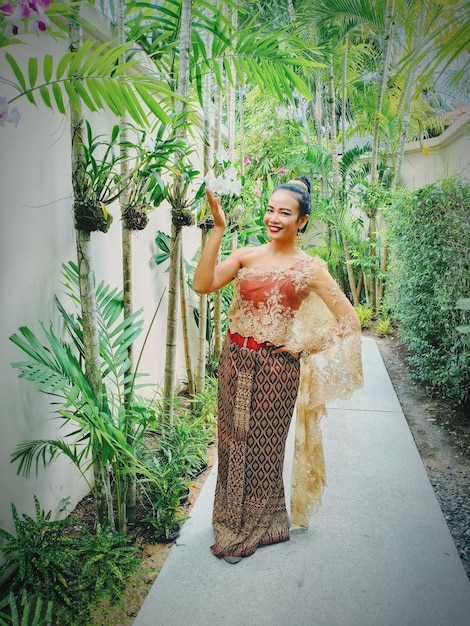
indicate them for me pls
(63, 562)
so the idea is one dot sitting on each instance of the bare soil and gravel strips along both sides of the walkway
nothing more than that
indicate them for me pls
(442, 436)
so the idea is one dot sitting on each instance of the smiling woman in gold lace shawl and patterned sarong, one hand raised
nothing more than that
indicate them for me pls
(287, 312)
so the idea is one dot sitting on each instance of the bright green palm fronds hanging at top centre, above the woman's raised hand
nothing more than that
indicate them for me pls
(251, 53)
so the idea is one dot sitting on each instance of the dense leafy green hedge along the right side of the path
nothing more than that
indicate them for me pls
(429, 271)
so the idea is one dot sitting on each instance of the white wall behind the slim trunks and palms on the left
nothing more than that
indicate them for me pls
(36, 237)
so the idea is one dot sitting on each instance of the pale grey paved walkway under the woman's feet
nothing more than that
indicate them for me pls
(378, 552)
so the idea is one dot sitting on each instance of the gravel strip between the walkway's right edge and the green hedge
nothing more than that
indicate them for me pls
(442, 436)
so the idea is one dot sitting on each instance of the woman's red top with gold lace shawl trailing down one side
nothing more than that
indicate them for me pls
(279, 305)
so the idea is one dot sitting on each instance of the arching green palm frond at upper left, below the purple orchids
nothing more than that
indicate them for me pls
(87, 75)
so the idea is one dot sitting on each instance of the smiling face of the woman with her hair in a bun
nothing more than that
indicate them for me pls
(282, 217)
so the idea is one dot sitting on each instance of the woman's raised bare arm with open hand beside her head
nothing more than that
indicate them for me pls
(210, 275)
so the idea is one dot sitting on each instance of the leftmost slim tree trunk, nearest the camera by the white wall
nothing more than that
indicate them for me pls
(103, 496)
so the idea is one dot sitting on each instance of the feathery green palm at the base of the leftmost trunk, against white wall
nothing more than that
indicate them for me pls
(104, 429)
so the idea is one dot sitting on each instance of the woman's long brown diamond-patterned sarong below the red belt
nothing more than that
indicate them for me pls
(257, 395)
